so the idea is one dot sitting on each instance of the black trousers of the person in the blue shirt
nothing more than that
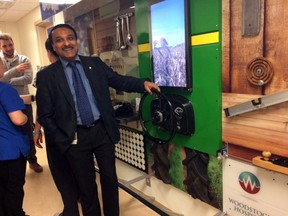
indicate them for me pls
(12, 179)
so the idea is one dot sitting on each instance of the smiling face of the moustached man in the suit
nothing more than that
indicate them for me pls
(65, 43)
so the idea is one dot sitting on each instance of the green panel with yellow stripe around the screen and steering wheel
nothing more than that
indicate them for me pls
(206, 95)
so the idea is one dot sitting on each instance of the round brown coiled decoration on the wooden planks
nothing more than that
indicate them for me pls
(259, 71)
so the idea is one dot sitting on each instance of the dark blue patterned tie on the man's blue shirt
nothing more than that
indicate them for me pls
(83, 104)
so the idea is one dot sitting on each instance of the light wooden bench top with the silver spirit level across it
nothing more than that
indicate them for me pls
(263, 130)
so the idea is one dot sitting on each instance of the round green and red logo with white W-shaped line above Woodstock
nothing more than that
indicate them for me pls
(249, 182)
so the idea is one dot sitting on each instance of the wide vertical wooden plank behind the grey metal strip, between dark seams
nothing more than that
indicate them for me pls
(243, 50)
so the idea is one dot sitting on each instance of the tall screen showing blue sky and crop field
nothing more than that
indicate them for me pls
(170, 44)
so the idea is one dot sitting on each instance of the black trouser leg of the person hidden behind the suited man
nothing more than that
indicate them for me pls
(64, 180)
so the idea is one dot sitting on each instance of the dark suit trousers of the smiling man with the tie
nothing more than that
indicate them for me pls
(94, 141)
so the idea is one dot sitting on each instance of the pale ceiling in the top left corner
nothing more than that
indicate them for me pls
(16, 10)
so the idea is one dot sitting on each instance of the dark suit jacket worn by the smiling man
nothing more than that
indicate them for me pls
(56, 108)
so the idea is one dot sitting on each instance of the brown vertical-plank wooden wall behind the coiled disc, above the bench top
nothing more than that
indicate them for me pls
(239, 50)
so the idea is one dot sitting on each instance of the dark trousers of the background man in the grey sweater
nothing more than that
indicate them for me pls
(29, 130)
